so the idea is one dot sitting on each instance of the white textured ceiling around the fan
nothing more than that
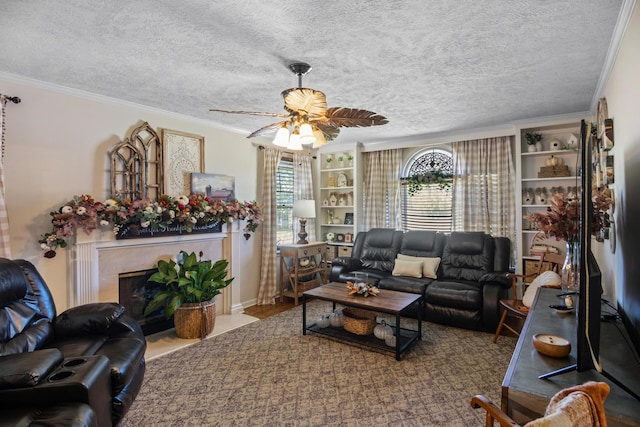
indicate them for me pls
(429, 66)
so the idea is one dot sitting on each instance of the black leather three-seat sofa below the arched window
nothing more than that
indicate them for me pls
(470, 279)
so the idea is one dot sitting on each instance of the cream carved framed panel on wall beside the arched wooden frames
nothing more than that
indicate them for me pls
(183, 154)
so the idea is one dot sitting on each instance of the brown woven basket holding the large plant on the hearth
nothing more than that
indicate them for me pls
(195, 320)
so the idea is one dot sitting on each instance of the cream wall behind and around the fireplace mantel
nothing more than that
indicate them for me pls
(56, 147)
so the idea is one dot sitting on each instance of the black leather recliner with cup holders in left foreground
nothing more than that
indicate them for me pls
(82, 367)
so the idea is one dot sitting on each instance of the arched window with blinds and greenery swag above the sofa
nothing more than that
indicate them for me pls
(428, 208)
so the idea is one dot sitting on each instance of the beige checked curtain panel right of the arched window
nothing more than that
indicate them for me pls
(484, 187)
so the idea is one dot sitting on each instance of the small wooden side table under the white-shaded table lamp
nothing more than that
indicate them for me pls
(314, 266)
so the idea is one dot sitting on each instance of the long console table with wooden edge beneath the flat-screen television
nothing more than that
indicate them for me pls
(525, 397)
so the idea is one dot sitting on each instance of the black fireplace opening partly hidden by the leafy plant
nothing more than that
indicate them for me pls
(135, 293)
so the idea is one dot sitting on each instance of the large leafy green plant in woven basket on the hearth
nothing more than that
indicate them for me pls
(190, 287)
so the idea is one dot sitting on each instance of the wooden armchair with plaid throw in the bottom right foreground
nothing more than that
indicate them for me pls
(579, 406)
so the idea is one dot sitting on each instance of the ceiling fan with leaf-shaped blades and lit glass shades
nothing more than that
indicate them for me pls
(308, 116)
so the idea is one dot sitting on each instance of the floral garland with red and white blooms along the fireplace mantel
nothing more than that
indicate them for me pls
(186, 212)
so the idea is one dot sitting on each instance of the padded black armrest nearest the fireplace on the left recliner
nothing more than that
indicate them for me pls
(87, 319)
